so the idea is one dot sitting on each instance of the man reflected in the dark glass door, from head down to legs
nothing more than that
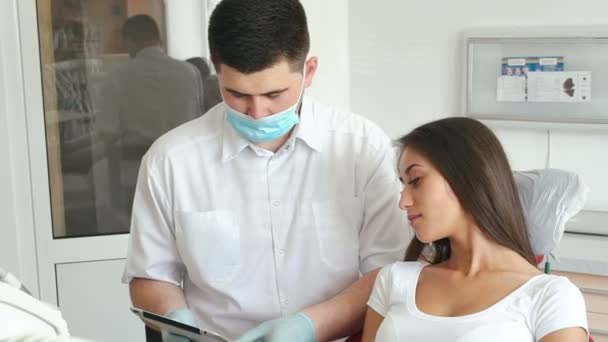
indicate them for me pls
(139, 101)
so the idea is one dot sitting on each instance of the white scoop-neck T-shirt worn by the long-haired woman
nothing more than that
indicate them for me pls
(543, 304)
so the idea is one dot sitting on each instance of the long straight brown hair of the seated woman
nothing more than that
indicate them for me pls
(471, 159)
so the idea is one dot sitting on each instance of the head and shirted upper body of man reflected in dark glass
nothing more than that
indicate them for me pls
(152, 93)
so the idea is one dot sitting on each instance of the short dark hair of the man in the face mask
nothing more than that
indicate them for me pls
(252, 35)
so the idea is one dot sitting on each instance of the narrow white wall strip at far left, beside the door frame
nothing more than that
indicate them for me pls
(17, 247)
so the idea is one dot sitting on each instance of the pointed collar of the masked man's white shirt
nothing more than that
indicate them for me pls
(306, 131)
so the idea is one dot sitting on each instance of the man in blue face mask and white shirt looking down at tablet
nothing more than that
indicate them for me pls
(272, 212)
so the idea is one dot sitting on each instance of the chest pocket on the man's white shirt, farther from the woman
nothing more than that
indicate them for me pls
(209, 243)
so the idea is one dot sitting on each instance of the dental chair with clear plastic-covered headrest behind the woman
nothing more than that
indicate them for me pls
(550, 198)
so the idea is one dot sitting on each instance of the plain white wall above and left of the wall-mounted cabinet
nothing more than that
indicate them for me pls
(406, 55)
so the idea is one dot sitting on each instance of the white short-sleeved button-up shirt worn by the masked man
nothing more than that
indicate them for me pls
(255, 234)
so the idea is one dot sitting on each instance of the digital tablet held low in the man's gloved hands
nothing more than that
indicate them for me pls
(178, 328)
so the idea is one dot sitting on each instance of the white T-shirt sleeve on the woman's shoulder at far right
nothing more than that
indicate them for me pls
(561, 306)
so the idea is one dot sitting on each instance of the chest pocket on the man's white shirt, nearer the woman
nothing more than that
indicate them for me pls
(337, 225)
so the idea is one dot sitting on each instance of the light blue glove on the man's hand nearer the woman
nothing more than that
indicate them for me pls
(294, 328)
